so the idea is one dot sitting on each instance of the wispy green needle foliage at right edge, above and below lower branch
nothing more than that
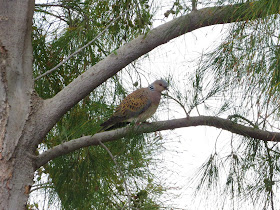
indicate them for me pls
(244, 70)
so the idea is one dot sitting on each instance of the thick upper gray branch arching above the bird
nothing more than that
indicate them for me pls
(57, 106)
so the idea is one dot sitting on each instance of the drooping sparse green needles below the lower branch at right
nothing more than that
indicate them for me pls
(248, 173)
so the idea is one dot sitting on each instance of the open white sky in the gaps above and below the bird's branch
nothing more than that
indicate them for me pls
(189, 147)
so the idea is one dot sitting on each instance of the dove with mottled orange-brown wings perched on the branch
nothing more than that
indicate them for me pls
(138, 106)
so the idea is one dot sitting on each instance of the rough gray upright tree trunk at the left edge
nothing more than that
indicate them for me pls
(16, 87)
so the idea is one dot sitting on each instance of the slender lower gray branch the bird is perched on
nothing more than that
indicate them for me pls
(217, 122)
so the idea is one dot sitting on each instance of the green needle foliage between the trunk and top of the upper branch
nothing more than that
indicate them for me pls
(63, 27)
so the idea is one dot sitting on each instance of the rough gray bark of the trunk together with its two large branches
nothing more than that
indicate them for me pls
(25, 119)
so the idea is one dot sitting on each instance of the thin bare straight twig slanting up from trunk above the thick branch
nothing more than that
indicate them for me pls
(77, 51)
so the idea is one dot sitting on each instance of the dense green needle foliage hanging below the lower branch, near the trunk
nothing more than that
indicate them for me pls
(89, 177)
